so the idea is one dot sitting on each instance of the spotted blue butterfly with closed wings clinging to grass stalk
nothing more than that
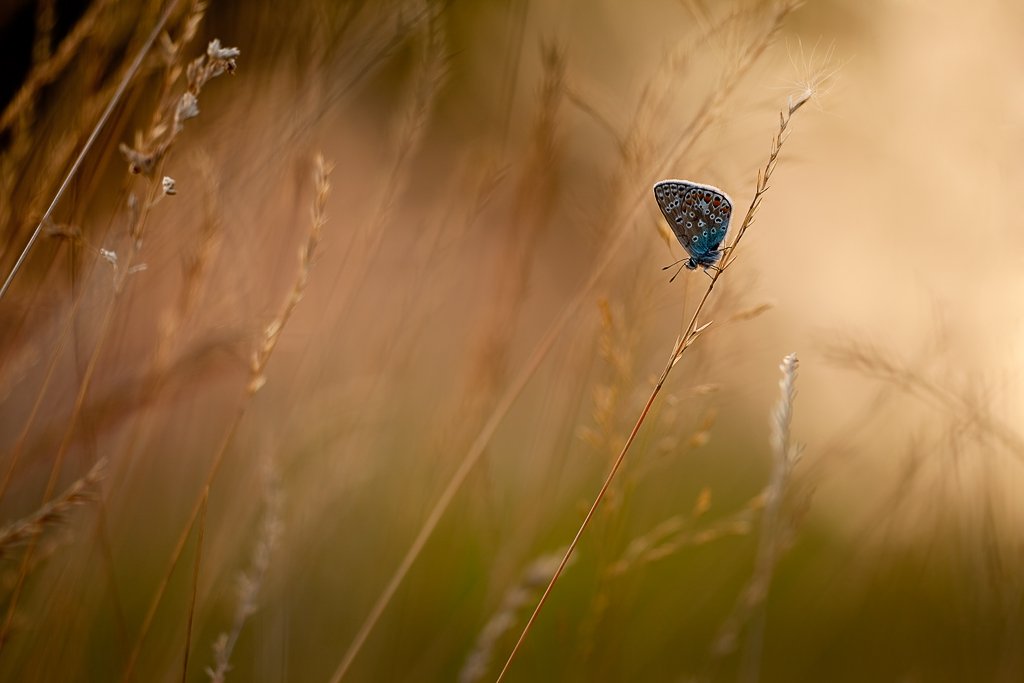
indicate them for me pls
(700, 218)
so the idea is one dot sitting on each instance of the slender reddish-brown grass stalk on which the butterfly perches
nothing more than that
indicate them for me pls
(686, 340)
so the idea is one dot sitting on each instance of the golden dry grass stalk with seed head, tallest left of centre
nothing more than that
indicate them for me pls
(259, 363)
